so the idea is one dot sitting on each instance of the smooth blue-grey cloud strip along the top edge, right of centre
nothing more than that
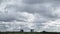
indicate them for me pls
(40, 1)
